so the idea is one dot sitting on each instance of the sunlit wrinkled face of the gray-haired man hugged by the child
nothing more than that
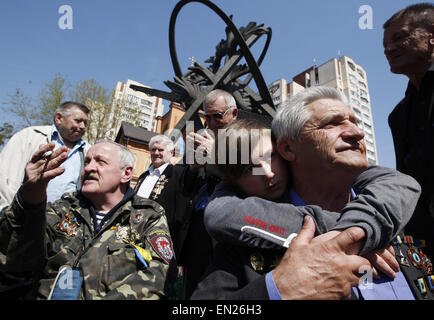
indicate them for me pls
(331, 139)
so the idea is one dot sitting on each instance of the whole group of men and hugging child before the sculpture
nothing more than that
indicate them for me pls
(312, 225)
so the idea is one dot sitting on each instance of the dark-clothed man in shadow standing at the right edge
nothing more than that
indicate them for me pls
(409, 48)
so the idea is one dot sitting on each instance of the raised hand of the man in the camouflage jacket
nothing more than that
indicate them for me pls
(40, 170)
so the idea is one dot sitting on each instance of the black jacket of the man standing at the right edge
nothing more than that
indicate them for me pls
(412, 127)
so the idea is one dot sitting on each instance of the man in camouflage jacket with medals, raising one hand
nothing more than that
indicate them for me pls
(122, 248)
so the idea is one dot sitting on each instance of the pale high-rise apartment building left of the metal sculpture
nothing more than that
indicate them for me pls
(139, 108)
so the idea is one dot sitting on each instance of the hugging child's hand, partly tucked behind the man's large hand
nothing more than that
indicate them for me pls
(384, 260)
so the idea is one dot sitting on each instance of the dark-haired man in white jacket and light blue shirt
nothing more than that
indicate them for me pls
(70, 120)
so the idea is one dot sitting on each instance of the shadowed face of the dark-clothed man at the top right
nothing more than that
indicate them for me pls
(407, 47)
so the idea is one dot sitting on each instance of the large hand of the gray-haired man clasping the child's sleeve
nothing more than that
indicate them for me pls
(320, 268)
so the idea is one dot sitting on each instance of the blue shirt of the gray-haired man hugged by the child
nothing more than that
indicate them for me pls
(383, 288)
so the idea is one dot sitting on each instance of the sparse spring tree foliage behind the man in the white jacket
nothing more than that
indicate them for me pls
(106, 110)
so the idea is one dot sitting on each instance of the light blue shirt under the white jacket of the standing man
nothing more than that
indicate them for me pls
(67, 181)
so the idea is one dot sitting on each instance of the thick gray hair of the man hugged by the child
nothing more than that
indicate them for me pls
(294, 113)
